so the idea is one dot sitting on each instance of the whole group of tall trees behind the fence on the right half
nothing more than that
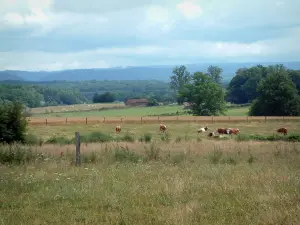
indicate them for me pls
(272, 90)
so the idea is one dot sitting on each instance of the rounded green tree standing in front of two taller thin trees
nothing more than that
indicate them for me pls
(206, 96)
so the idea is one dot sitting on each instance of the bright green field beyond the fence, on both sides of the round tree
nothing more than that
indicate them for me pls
(106, 110)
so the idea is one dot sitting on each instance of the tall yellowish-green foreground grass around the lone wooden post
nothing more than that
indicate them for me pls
(179, 183)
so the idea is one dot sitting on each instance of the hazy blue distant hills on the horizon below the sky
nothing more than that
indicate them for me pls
(129, 73)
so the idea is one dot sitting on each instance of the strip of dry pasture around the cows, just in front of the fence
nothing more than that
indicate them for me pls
(186, 130)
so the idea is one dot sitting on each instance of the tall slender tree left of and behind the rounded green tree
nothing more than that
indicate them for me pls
(180, 78)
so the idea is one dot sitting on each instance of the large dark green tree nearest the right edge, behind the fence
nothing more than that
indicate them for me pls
(277, 96)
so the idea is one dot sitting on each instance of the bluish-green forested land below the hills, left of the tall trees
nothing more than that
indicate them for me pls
(35, 94)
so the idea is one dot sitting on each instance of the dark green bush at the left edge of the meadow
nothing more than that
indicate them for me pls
(13, 123)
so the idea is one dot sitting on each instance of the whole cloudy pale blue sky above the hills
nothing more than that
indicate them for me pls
(70, 34)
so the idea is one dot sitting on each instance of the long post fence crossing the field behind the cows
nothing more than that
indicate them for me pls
(159, 119)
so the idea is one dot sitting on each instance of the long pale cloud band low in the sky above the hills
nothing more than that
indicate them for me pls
(176, 51)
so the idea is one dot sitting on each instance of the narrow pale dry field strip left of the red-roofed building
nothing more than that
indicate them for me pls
(75, 108)
